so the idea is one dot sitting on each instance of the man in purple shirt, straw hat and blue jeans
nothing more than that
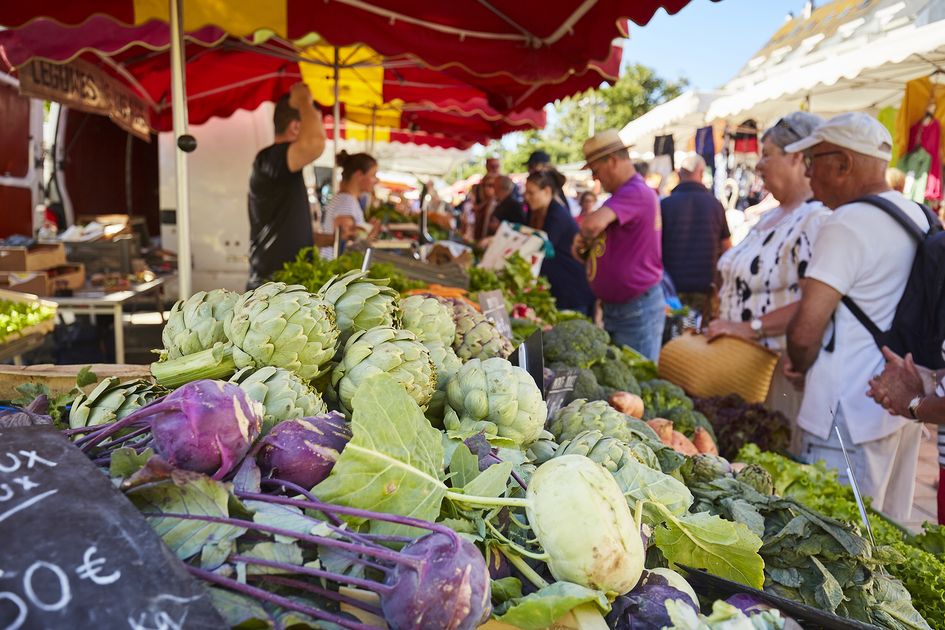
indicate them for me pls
(621, 244)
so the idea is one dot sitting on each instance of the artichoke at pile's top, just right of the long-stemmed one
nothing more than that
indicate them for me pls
(361, 303)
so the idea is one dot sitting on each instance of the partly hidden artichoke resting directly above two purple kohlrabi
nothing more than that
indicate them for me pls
(283, 394)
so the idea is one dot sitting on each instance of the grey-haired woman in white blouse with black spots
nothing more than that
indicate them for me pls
(760, 277)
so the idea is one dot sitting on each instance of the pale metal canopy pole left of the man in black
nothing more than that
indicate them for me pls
(179, 101)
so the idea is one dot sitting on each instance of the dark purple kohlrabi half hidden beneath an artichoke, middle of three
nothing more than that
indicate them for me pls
(304, 451)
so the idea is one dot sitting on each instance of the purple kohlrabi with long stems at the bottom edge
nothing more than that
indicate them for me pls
(447, 589)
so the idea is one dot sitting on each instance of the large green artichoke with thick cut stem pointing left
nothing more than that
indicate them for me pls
(276, 324)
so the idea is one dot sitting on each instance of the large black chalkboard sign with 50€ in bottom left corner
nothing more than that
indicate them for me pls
(76, 552)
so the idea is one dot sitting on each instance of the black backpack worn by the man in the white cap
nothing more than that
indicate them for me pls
(919, 323)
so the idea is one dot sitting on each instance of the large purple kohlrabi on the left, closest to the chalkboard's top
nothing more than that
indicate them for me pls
(205, 426)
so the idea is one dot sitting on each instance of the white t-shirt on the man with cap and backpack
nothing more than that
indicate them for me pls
(862, 252)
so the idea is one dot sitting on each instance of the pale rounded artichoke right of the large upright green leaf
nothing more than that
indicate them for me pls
(496, 398)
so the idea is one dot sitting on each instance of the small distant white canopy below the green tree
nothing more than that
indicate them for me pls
(679, 117)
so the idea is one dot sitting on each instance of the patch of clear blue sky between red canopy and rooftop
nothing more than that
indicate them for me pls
(707, 42)
